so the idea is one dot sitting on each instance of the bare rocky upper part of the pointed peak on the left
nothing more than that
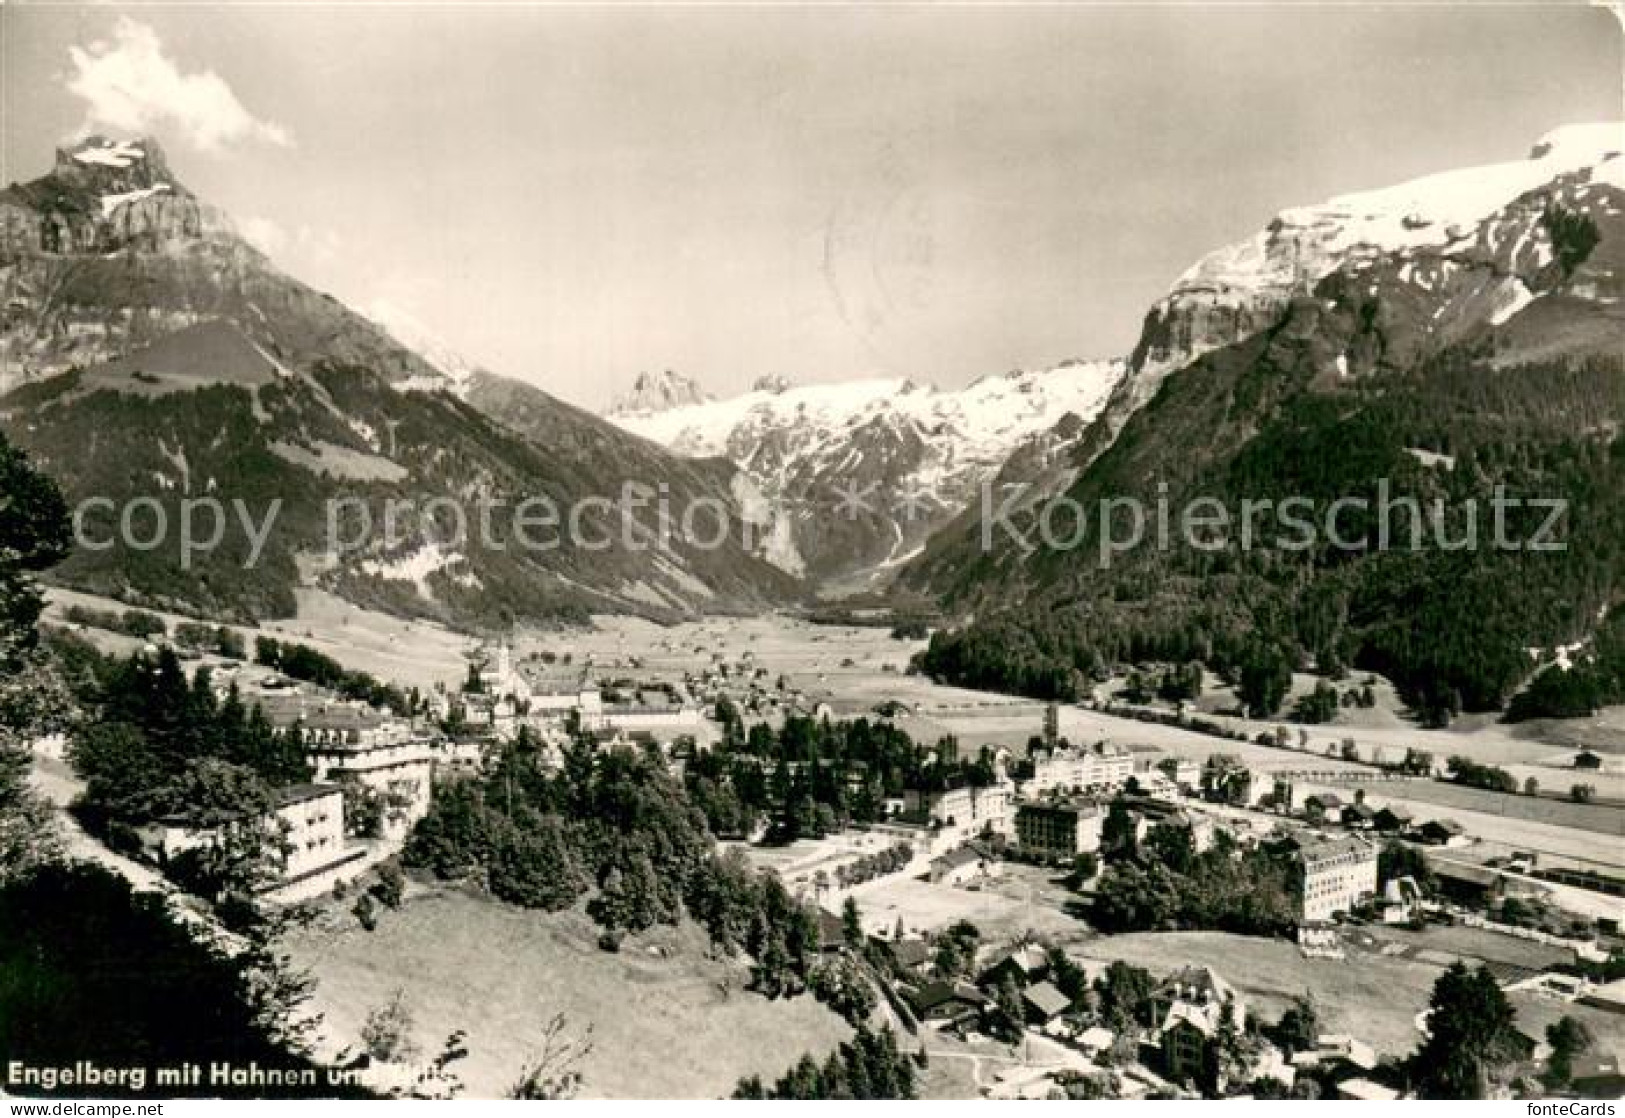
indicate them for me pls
(110, 253)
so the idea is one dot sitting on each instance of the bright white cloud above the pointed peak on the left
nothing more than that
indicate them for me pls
(131, 85)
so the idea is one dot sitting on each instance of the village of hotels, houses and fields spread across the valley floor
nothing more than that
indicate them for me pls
(1098, 899)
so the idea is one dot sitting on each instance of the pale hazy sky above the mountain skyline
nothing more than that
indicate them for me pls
(578, 194)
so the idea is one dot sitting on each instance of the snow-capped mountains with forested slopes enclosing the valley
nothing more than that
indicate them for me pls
(1437, 340)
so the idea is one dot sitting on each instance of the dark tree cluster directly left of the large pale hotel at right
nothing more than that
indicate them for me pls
(1164, 883)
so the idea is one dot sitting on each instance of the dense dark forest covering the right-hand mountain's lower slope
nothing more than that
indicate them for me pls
(1452, 626)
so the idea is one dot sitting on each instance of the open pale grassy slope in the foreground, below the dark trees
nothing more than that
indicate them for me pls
(665, 1026)
